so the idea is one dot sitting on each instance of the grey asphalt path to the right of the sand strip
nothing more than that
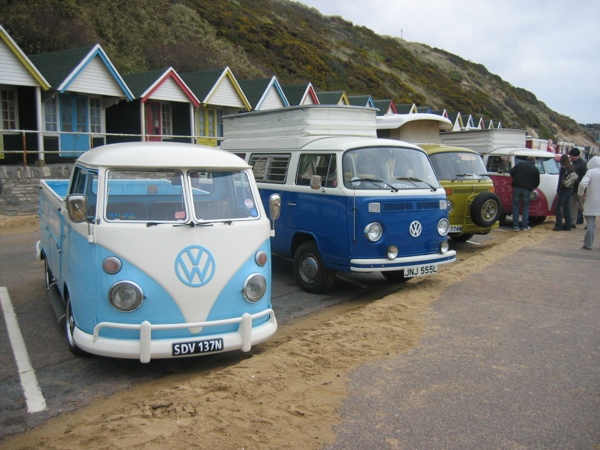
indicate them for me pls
(511, 360)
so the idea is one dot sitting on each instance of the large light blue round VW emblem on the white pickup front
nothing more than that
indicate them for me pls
(195, 266)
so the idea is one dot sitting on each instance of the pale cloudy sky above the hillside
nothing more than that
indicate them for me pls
(548, 47)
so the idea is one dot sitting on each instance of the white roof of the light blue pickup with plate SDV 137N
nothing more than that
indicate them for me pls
(158, 155)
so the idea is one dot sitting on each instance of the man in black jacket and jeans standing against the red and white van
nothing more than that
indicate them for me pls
(525, 178)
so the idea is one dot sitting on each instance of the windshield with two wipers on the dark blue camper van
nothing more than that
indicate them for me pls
(388, 168)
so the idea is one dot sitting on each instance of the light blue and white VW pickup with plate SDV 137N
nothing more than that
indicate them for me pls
(158, 250)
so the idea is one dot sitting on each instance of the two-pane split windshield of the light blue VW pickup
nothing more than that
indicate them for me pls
(156, 196)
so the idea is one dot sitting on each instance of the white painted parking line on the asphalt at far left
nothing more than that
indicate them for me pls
(31, 388)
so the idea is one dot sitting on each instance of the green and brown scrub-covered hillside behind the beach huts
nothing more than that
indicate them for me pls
(260, 38)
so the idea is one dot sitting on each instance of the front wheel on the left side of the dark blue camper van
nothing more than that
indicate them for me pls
(310, 270)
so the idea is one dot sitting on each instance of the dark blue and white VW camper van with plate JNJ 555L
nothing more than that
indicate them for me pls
(350, 202)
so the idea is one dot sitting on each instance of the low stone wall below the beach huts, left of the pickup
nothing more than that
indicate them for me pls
(21, 185)
